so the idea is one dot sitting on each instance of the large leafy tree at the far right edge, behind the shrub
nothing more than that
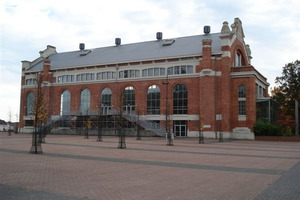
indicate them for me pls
(287, 93)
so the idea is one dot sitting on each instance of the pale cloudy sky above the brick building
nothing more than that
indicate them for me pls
(271, 28)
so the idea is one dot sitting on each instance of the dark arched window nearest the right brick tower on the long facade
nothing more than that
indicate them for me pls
(180, 99)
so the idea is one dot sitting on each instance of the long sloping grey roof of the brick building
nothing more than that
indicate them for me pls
(151, 50)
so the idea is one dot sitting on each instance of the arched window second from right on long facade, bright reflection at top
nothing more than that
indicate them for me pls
(153, 100)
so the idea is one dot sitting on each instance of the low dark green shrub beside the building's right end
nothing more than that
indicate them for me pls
(262, 128)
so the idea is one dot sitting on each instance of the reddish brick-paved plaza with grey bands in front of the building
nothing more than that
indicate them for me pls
(72, 167)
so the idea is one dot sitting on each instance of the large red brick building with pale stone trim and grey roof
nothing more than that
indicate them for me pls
(204, 81)
